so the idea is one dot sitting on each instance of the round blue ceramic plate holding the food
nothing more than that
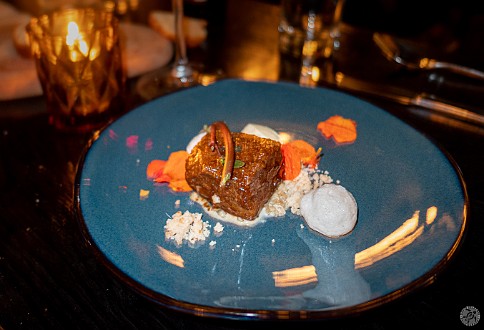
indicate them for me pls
(411, 198)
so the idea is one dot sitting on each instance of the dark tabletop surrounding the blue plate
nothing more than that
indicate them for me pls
(49, 275)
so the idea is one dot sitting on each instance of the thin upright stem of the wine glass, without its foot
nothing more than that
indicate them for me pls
(181, 69)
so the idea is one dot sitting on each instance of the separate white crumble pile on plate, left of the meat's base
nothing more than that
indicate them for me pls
(186, 227)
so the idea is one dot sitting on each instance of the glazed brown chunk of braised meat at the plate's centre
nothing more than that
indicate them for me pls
(250, 186)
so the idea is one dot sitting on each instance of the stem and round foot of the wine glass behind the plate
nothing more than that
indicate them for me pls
(180, 74)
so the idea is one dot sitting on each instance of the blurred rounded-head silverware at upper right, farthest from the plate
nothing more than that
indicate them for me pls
(392, 52)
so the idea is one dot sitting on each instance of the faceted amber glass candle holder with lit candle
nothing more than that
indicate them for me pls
(79, 65)
